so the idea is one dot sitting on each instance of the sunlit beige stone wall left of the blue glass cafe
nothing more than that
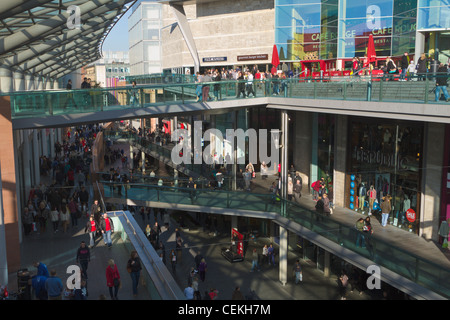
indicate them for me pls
(221, 29)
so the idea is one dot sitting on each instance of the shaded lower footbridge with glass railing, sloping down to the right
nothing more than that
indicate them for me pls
(418, 276)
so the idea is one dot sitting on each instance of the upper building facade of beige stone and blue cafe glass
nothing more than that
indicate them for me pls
(304, 30)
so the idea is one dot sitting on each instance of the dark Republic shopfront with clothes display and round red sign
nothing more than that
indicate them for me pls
(386, 156)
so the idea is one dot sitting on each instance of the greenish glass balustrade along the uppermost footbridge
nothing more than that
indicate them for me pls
(360, 88)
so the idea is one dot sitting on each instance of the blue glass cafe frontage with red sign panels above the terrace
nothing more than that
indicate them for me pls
(321, 30)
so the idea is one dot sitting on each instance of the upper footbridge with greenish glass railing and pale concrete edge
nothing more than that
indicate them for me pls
(409, 100)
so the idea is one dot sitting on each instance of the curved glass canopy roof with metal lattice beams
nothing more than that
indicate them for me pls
(41, 37)
